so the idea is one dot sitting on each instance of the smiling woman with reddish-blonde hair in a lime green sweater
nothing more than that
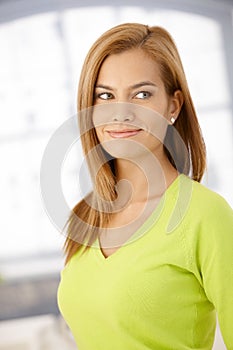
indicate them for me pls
(149, 251)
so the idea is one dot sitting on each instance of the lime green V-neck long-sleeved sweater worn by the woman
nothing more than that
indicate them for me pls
(162, 289)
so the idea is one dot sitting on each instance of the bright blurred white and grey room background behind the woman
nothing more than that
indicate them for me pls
(42, 46)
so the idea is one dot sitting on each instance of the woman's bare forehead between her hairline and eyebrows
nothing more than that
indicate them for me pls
(128, 66)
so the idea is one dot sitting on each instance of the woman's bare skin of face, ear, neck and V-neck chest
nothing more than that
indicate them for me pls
(130, 88)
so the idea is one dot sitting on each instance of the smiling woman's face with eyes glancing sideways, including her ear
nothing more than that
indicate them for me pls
(132, 104)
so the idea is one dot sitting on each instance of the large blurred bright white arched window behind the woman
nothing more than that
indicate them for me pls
(41, 58)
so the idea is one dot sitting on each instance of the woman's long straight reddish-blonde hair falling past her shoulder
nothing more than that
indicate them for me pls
(94, 211)
